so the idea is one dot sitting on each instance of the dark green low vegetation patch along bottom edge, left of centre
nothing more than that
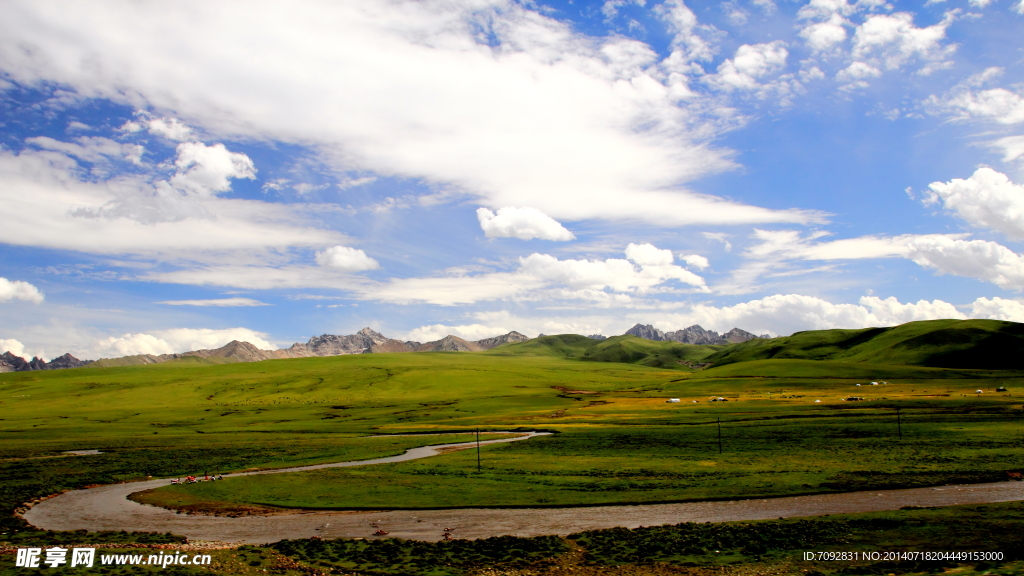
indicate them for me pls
(395, 556)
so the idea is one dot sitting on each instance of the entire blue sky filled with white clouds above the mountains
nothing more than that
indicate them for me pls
(179, 176)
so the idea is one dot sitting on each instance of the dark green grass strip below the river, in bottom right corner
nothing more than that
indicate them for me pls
(992, 528)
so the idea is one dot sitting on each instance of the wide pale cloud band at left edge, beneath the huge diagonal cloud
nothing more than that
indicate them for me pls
(131, 216)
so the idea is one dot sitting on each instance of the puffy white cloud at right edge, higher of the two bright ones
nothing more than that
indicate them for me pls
(988, 199)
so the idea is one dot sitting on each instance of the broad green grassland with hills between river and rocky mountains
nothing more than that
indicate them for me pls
(618, 441)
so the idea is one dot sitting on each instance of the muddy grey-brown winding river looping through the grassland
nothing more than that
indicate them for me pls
(107, 508)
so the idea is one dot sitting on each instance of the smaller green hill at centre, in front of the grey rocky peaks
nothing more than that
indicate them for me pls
(626, 350)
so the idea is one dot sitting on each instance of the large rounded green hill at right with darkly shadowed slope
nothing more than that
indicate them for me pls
(941, 344)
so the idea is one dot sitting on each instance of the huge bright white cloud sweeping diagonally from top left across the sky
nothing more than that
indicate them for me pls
(542, 116)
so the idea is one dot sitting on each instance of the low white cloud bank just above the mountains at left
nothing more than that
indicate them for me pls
(177, 341)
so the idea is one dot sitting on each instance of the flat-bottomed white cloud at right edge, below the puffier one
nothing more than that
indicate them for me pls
(974, 259)
